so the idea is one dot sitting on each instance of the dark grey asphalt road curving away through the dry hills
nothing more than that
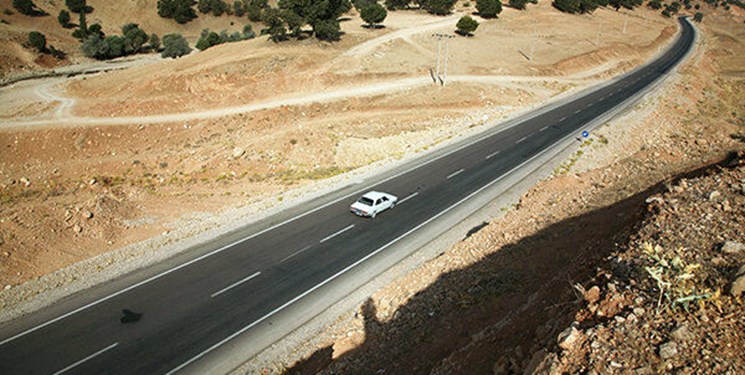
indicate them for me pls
(197, 306)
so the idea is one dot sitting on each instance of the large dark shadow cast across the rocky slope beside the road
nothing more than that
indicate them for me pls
(511, 303)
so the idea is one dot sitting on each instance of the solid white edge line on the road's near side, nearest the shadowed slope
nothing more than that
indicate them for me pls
(355, 264)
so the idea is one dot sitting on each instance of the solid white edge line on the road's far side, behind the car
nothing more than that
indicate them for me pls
(164, 273)
